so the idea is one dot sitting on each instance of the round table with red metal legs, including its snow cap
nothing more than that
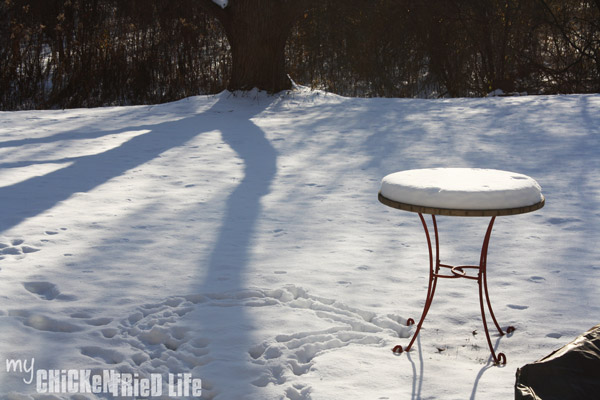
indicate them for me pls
(439, 192)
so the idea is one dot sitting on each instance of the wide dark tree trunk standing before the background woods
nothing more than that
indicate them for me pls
(257, 31)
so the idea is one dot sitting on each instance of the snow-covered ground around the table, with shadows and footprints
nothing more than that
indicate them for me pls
(239, 240)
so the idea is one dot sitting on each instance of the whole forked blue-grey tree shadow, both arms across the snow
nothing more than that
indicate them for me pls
(229, 258)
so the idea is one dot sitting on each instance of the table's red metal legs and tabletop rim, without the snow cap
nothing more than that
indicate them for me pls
(459, 271)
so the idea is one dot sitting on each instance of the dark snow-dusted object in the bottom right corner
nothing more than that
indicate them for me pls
(572, 372)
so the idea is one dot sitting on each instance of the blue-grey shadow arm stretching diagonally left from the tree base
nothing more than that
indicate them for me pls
(33, 196)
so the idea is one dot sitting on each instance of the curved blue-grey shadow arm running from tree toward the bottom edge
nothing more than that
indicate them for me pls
(229, 259)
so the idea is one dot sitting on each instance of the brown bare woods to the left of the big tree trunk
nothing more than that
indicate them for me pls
(83, 53)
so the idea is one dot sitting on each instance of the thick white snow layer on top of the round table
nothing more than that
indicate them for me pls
(462, 188)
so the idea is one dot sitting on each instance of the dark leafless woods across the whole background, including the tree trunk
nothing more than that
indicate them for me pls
(85, 53)
